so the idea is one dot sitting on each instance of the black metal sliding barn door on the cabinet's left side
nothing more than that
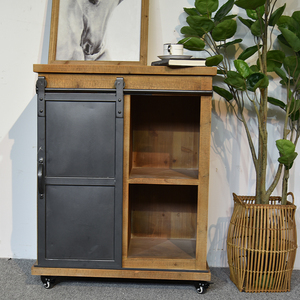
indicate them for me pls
(80, 153)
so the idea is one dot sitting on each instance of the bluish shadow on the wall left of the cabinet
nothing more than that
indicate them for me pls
(23, 158)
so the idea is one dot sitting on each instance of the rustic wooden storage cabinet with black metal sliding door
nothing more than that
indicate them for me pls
(123, 171)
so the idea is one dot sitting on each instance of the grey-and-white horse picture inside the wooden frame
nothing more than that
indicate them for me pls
(94, 30)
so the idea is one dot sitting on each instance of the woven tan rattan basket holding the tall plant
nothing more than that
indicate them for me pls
(262, 244)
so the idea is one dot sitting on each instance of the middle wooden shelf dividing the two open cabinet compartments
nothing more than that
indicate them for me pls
(163, 176)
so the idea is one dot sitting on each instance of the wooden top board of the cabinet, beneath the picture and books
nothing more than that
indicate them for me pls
(123, 69)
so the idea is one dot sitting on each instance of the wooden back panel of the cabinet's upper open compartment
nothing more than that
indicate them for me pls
(165, 131)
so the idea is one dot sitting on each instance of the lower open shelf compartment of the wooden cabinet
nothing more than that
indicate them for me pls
(163, 221)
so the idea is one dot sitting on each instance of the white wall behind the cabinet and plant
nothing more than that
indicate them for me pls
(24, 35)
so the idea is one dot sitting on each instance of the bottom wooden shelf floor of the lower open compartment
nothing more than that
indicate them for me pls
(162, 248)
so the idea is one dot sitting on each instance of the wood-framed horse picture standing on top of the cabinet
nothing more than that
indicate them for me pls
(113, 32)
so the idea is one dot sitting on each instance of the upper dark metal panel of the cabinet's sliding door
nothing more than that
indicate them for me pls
(77, 144)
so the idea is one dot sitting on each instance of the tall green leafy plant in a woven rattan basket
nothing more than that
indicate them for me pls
(261, 242)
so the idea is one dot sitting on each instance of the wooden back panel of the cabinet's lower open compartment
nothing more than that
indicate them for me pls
(166, 211)
